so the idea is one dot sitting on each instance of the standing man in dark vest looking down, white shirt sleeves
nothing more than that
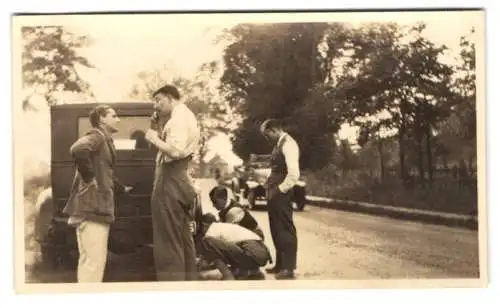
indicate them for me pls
(284, 175)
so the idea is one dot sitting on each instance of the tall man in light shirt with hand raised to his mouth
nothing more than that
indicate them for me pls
(173, 193)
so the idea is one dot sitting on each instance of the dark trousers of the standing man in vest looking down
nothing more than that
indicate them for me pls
(283, 230)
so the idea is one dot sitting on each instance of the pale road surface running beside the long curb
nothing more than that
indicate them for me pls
(343, 245)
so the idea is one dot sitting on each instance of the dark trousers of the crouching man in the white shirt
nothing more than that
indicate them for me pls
(247, 255)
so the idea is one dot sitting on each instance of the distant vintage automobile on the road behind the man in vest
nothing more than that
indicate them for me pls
(250, 179)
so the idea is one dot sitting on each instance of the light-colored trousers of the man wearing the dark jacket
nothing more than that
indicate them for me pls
(92, 240)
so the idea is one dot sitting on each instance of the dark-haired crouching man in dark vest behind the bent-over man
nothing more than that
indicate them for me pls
(231, 211)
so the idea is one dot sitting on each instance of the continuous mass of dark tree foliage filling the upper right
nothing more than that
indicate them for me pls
(384, 78)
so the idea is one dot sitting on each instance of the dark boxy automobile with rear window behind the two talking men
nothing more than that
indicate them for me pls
(135, 162)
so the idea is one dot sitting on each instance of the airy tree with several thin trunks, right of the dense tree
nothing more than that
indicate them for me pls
(399, 84)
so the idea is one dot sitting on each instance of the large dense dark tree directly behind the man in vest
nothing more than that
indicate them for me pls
(278, 71)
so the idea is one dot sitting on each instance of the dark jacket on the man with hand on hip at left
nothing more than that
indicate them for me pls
(94, 183)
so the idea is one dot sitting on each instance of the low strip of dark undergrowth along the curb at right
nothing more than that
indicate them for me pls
(444, 195)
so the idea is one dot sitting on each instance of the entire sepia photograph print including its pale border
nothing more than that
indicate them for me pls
(239, 150)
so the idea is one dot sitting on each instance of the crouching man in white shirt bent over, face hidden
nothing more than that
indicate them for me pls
(235, 251)
